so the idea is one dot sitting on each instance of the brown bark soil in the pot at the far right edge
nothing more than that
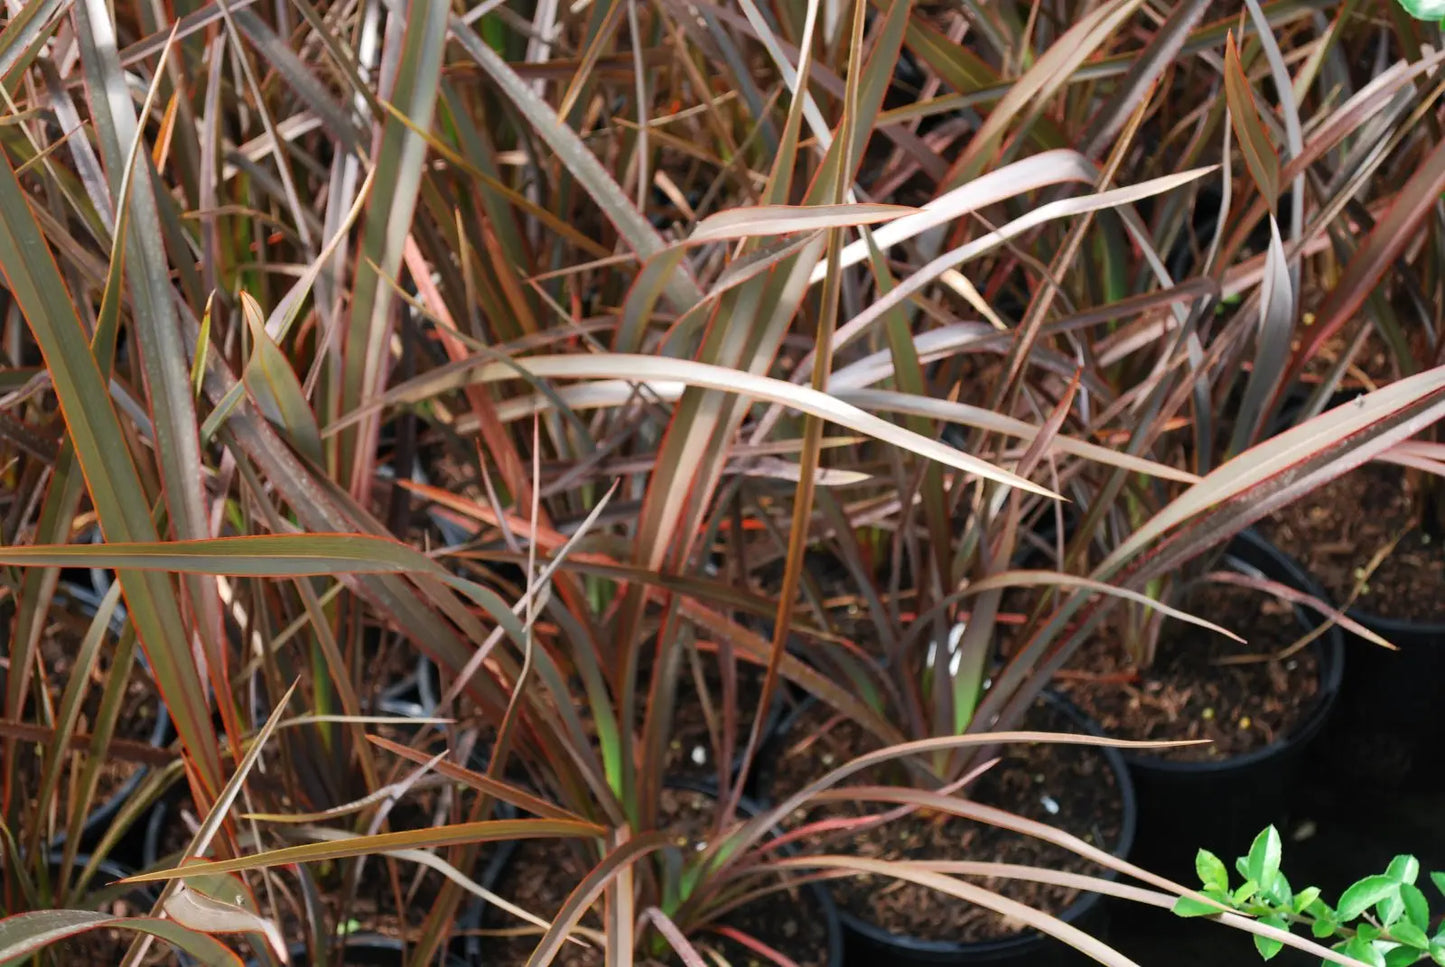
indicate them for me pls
(1339, 530)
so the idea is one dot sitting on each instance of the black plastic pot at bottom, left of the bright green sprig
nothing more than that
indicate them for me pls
(866, 945)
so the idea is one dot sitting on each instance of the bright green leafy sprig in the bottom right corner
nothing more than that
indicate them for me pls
(1381, 920)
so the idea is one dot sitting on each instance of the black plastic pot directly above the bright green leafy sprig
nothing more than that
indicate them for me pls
(1222, 806)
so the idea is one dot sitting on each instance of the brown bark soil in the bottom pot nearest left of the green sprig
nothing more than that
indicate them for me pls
(1067, 787)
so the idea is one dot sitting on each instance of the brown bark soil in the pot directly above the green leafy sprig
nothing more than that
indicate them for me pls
(1189, 695)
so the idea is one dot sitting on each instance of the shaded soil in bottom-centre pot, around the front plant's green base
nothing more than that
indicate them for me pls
(544, 872)
